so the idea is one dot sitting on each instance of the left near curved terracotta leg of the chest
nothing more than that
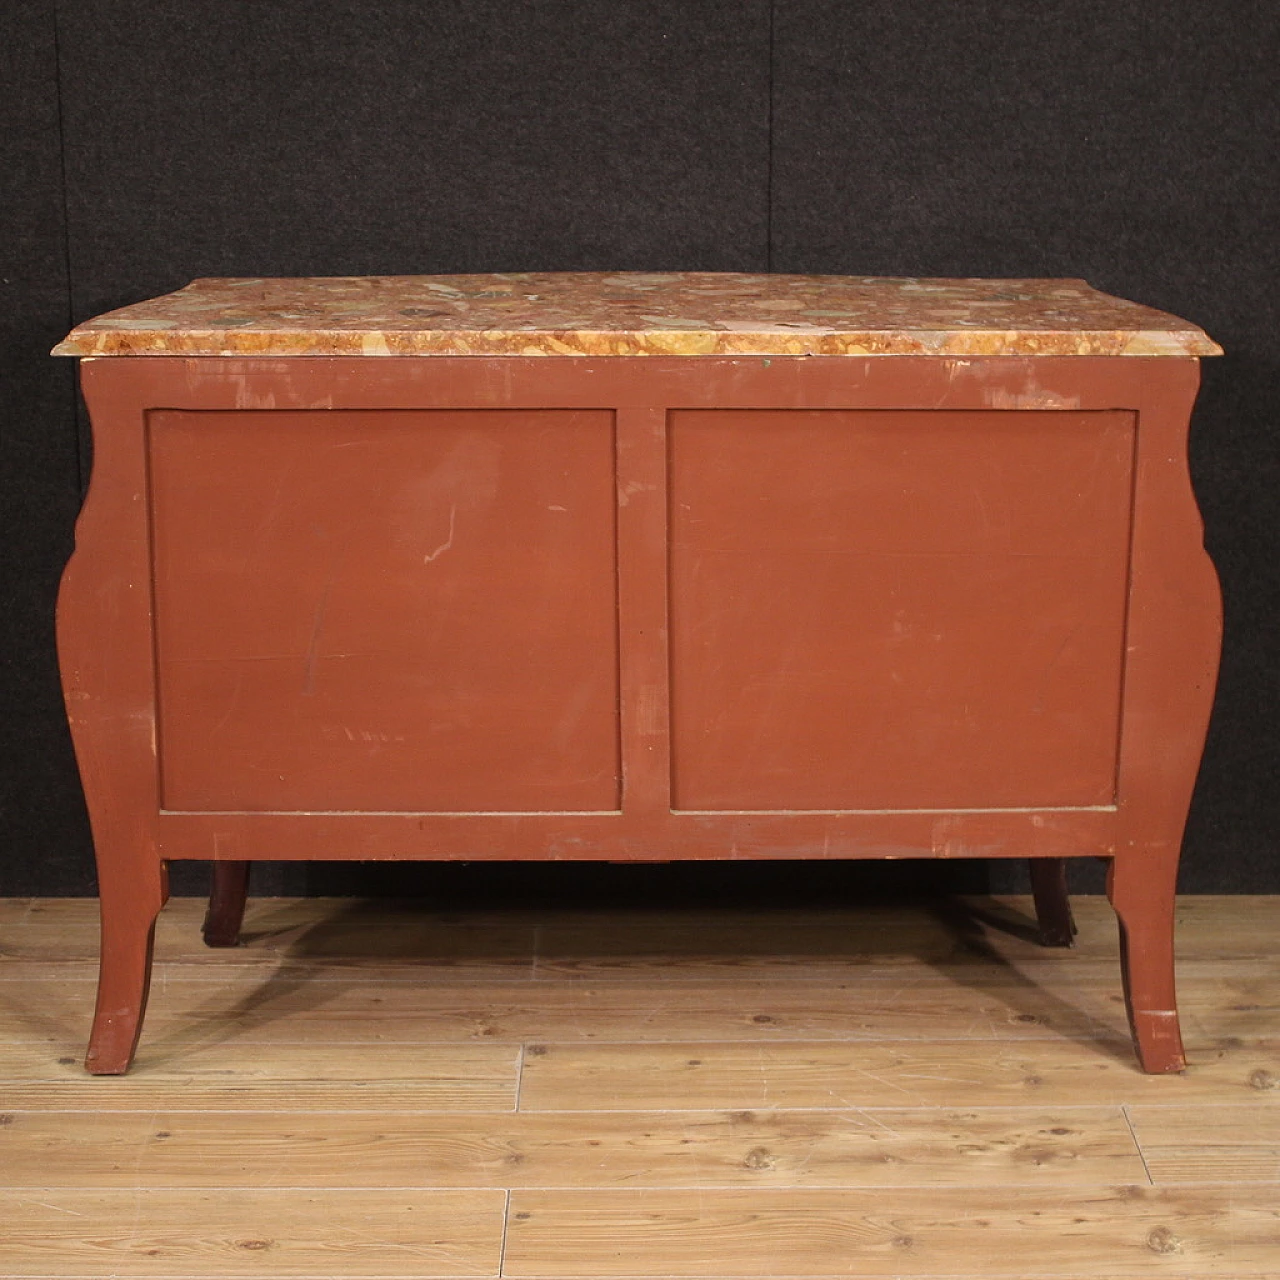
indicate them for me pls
(130, 906)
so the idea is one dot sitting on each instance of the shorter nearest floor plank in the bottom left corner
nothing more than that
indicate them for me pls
(230, 1235)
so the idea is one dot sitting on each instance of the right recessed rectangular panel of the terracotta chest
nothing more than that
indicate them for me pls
(892, 610)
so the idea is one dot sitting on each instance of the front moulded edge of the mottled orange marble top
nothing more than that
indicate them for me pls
(268, 344)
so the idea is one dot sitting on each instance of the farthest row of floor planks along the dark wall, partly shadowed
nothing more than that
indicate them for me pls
(954, 931)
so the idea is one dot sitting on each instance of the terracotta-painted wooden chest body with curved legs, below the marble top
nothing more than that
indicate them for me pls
(639, 609)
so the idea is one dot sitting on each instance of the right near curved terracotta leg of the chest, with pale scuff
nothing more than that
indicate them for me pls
(1145, 907)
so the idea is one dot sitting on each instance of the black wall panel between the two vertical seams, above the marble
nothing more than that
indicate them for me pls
(335, 138)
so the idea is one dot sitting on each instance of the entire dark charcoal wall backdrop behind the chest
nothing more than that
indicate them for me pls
(145, 144)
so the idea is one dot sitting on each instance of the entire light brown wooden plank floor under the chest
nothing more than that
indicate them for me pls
(369, 1090)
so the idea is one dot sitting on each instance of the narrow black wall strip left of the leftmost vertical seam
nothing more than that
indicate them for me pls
(44, 836)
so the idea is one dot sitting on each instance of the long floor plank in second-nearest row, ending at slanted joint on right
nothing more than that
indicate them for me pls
(766, 1150)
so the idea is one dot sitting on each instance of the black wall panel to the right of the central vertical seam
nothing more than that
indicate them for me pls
(1130, 144)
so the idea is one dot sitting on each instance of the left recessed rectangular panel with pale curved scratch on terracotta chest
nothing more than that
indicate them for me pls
(386, 610)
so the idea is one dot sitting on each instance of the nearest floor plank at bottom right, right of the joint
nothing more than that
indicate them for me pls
(1122, 1232)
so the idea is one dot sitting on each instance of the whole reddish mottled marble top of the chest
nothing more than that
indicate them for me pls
(636, 314)
